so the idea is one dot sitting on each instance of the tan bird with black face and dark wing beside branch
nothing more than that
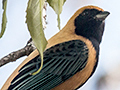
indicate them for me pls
(70, 58)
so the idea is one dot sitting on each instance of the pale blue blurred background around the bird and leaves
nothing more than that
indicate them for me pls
(107, 75)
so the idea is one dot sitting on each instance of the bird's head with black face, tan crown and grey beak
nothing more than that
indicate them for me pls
(89, 22)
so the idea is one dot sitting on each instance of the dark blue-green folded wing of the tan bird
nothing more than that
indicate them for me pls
(61, 62)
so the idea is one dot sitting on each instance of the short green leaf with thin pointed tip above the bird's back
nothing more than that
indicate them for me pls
(57, 7)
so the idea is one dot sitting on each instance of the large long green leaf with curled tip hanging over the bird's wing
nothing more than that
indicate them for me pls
(35, 26)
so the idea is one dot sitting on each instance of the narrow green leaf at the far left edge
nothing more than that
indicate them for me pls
(4, 18)
